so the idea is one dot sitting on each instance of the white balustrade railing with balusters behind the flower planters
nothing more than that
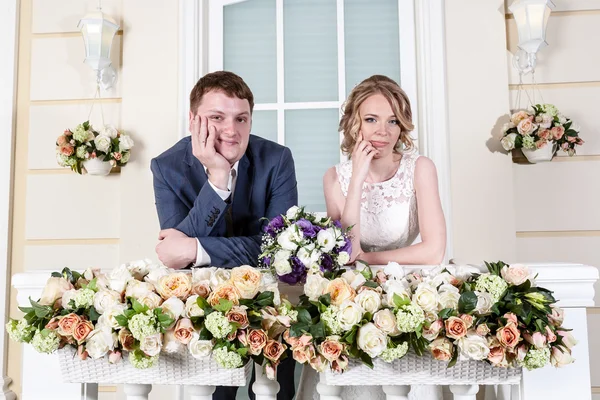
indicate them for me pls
(572, 284)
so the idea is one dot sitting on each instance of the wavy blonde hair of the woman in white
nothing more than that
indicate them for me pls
(377, 84)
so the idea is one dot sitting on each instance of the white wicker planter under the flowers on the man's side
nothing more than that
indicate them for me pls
(172, 369)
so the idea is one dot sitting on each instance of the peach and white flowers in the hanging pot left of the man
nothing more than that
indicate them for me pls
(85, 145)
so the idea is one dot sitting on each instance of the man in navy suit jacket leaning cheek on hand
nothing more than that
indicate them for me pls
(213, 187)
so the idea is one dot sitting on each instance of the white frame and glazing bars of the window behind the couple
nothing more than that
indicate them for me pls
(423, 74)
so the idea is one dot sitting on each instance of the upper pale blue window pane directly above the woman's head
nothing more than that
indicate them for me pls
(371, 40)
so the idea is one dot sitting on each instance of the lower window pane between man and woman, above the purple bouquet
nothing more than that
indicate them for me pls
(313, 138)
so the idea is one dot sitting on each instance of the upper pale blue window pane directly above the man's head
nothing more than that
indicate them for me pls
(250, 46)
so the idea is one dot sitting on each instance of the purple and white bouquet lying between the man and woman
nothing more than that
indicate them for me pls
(301, 243)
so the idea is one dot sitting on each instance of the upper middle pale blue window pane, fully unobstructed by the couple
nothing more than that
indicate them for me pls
(310, 43)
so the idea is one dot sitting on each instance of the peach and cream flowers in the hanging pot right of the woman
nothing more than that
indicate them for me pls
(542, 125)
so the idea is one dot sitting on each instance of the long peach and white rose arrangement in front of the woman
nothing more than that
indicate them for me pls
(456, 313)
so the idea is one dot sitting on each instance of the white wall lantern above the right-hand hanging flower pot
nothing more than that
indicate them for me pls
(531, 17)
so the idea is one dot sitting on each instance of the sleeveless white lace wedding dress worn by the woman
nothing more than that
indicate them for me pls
(388, 220)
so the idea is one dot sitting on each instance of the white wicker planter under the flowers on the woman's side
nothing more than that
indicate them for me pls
(414, 370)
